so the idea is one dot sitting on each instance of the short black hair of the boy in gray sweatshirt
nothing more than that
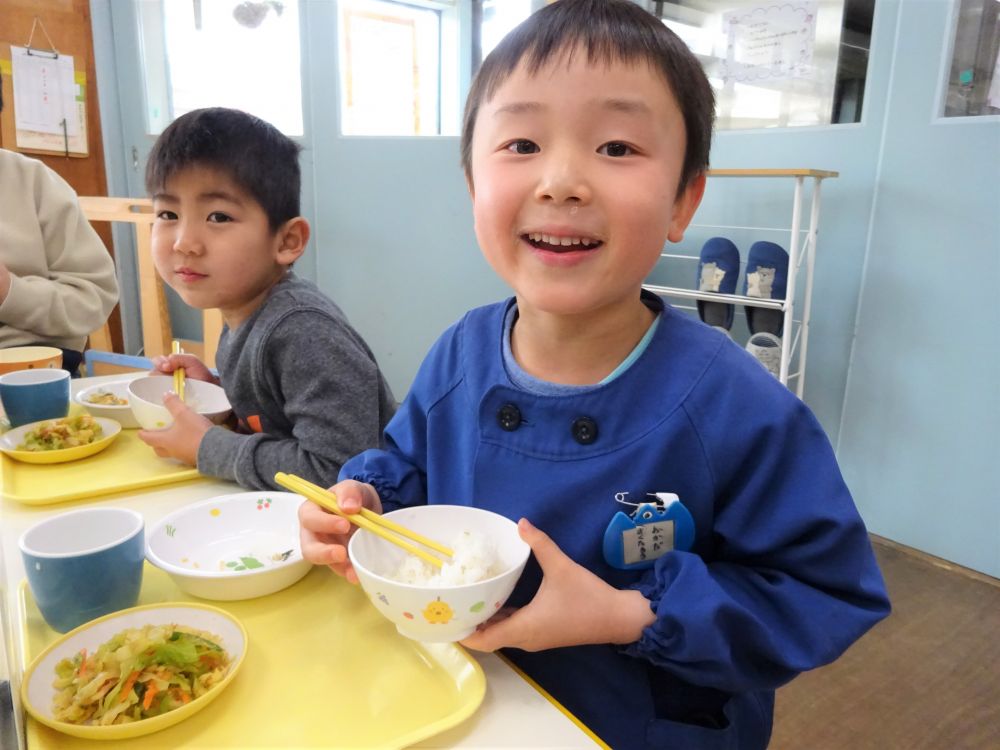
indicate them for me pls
(259, 158)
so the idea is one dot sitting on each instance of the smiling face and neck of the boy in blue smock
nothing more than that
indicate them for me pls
(576, 229)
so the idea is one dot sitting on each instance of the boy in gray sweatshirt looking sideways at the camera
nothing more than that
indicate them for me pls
(303, 384)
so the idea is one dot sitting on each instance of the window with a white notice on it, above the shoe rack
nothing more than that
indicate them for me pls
(800, 62)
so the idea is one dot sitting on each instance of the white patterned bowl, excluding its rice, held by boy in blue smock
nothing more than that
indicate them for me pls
(438, 613)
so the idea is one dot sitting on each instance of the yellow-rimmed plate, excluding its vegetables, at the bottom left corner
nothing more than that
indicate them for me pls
(37, 691)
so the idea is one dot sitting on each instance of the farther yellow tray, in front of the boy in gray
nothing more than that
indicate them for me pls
(128, 464)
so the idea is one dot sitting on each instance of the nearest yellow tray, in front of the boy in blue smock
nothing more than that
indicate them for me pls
(323, 669)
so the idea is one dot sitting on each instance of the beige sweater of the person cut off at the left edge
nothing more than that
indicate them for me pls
(63, 283)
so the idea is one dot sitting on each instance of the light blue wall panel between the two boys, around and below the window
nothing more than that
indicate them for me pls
(394, 240)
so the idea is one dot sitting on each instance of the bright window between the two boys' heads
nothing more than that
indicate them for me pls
(393, 80)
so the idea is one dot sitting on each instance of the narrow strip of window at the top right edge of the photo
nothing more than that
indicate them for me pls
(974, 75)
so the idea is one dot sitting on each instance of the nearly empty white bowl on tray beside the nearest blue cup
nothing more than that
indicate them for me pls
(231, 547)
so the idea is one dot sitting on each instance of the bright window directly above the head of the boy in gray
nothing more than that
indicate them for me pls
(207, 53)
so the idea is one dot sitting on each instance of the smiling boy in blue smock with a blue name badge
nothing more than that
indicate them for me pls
(695, 546)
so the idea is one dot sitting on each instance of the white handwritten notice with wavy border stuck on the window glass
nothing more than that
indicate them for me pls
(771, 42)
